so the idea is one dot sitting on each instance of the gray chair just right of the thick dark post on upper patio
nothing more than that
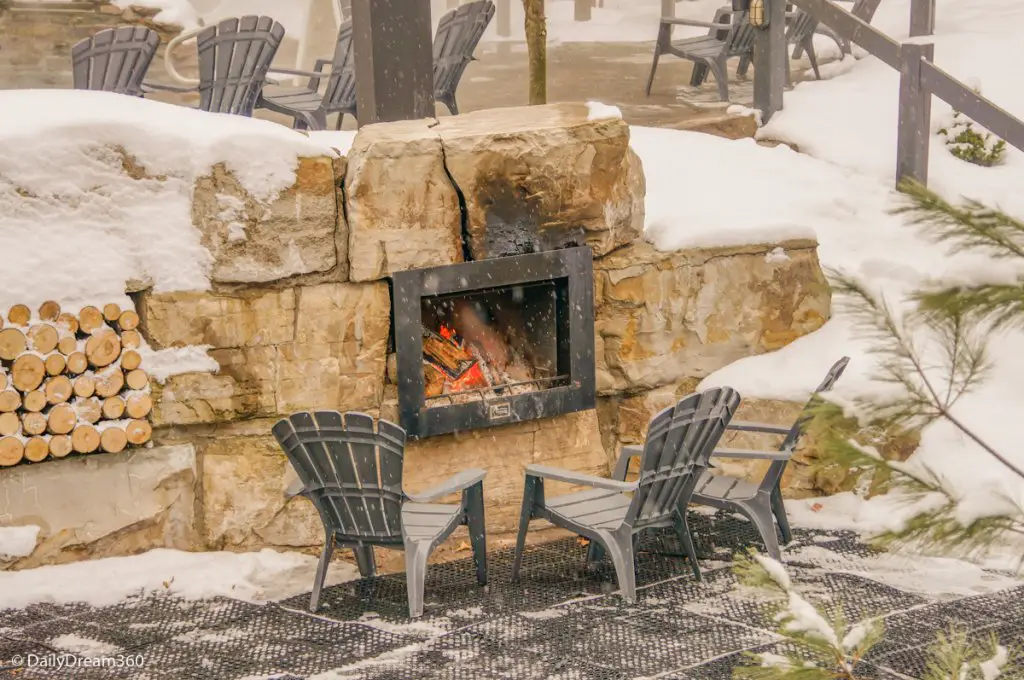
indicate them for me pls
(458, 35)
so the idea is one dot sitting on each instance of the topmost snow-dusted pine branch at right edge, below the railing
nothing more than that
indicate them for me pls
(973, 226)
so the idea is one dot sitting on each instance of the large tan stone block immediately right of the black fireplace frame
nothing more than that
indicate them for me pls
(663, 318)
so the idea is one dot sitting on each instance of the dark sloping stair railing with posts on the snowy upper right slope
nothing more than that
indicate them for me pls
(920, 79)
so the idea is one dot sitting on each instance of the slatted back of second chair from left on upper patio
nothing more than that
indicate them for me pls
(234, 59)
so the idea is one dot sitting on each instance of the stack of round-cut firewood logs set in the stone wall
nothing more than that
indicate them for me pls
(71, 384)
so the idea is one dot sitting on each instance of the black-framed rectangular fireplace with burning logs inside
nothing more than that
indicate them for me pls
(494, 343)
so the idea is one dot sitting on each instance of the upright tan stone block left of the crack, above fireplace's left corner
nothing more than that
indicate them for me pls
(403, 209)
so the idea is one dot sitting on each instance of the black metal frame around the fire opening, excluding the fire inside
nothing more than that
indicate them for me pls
(574, 265)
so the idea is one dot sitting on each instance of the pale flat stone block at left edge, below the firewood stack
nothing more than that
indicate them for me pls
(101, 506)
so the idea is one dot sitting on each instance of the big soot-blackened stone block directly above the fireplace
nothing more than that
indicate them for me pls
(542, 178)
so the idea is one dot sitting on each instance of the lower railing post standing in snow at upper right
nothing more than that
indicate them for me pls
(915, 133)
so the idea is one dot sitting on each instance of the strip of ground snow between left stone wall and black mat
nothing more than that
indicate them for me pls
(257, 577)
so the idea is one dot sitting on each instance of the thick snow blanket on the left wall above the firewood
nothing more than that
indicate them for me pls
(70, 209)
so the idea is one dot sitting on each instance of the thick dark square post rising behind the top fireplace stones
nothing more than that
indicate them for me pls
(394, 60)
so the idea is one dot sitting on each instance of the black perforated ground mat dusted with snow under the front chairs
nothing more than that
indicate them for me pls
(560, 622)
